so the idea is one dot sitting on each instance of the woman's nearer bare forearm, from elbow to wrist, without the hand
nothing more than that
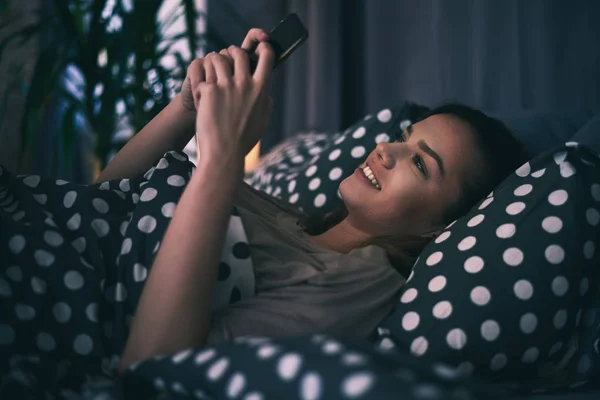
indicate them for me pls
(175, 306)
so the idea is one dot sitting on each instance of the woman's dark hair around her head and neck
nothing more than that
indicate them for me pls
(502, 153)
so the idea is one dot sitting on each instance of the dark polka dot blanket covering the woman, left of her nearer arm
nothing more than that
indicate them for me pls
(74, 260)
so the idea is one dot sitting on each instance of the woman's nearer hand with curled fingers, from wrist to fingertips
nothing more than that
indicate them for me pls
(234, 107)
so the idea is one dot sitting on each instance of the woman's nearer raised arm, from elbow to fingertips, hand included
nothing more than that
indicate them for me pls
(174, 309)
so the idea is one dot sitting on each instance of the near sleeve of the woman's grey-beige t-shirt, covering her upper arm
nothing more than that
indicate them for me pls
(350, 309)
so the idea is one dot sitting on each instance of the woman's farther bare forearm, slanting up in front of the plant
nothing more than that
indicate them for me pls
(170, 130)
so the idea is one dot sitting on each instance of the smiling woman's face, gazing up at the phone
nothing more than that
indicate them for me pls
(419, 176)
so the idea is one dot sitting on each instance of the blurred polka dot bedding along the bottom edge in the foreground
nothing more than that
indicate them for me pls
(317, 367)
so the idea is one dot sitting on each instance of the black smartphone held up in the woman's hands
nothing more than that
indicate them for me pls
(284, 38)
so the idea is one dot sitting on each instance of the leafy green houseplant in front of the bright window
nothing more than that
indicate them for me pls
(105, 67)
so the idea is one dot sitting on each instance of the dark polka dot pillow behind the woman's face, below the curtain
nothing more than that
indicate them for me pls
(307, 169)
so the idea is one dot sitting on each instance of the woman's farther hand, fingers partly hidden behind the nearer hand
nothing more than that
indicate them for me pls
(198, 71)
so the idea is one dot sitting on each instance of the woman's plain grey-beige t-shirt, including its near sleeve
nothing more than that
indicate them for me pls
(303, 289)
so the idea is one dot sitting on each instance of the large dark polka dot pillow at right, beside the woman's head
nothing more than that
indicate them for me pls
(507, 292)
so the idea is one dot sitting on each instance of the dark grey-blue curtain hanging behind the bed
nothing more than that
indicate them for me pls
(361, 56)
